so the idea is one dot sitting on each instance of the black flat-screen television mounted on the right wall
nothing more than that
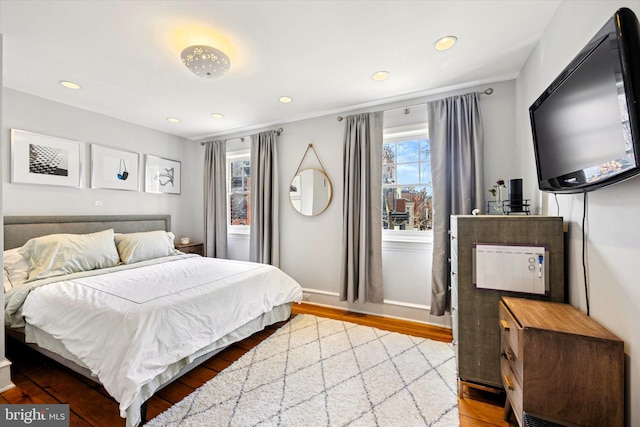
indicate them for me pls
(586, 129)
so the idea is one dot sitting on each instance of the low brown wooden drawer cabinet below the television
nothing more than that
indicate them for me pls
(560, 365)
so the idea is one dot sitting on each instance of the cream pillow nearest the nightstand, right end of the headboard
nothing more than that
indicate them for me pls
(136, 247)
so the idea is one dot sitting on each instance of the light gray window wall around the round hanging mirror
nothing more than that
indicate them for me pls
(311, 246)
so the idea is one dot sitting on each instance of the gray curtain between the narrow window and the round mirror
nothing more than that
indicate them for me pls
(264, 240)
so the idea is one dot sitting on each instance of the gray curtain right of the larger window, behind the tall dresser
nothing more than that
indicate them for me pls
(456, 140)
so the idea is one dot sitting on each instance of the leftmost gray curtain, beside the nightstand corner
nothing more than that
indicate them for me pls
(215, 199)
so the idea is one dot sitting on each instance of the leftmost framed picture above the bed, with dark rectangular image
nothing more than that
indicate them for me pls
(43, 159)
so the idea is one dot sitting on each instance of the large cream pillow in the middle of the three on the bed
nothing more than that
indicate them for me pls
(58, 254)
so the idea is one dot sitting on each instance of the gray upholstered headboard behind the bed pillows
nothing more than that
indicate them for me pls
(19, 229)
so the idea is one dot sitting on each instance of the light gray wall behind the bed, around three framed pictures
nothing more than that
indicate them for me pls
(34, 114)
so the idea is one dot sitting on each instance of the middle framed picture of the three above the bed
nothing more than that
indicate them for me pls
(113, 168)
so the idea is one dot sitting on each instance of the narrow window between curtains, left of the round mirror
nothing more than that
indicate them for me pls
(239, 191)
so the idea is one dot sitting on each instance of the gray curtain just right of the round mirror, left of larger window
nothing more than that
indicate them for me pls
(361, 274)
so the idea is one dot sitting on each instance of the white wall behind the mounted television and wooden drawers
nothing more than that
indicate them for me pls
(613, 233)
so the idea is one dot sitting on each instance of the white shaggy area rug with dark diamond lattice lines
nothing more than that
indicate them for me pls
(315, 371)
